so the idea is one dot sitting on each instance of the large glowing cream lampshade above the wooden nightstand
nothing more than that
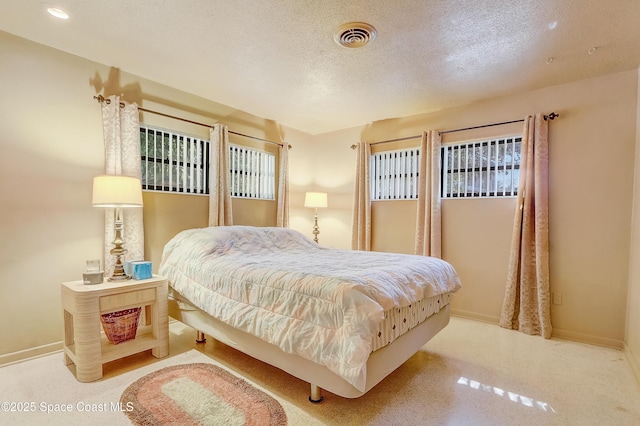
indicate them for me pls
(116, 191)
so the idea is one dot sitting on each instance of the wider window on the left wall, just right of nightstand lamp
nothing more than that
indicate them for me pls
(173, 162)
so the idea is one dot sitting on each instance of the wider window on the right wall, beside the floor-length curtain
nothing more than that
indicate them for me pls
(481, 169)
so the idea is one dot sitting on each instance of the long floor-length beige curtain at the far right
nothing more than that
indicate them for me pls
(526, 305)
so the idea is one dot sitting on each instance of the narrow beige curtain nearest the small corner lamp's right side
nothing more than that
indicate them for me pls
(361, 227)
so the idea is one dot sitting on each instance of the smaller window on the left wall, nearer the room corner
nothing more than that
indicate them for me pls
(252, 173)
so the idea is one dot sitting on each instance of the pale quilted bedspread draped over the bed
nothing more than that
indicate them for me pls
(320, 303)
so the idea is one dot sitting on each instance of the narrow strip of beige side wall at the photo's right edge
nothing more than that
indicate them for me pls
(632, 340)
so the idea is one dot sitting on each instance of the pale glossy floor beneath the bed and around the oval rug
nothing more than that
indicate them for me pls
(471, 373)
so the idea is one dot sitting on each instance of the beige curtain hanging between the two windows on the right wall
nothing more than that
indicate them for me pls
(428, 225)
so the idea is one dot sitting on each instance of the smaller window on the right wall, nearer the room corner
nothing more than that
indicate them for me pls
(394, 174)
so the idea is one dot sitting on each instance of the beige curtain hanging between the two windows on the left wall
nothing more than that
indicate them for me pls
(219, 179)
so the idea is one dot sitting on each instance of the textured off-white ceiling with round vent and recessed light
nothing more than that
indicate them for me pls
(277, 58)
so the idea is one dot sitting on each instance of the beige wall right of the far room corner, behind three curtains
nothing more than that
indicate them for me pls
(591, 172)
